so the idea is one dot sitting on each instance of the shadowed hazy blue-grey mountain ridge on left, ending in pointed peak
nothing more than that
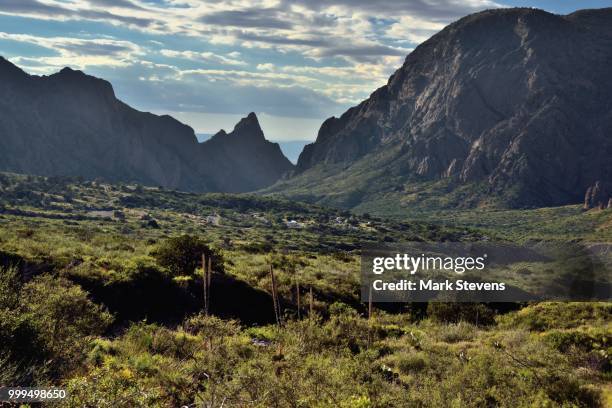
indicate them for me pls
(71, 124)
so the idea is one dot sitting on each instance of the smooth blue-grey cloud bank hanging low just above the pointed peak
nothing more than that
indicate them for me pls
(221, 91)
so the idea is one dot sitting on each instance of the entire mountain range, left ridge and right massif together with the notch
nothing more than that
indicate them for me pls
(509, 107)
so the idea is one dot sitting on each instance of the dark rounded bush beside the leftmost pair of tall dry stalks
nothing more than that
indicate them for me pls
(182, 255)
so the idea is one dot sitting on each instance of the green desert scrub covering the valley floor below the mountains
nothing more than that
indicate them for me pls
(101, 293)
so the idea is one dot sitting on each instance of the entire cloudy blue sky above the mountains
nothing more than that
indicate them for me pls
(208, 63)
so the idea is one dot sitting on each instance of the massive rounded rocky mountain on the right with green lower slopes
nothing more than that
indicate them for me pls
(510, 106)
